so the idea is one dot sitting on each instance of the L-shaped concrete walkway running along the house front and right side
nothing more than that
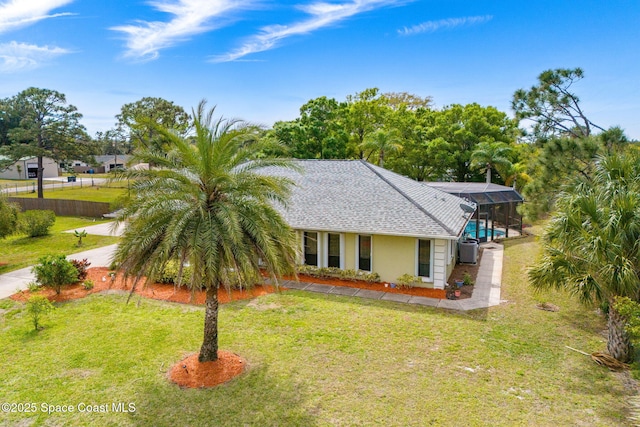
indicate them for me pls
(486, 292)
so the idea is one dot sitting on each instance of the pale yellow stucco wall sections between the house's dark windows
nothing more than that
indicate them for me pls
(393, 256)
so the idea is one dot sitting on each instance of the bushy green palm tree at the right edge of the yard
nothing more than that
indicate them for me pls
(592, 244)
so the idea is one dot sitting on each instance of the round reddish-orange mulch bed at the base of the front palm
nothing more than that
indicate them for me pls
(189, 372)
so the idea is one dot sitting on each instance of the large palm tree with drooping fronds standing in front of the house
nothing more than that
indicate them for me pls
(206, 204)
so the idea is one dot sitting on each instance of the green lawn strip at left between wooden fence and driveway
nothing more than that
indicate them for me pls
(19, 251)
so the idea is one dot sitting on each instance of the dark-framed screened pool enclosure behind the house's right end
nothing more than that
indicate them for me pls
(496, 205)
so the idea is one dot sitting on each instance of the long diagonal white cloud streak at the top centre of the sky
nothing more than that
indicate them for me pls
(322, 15)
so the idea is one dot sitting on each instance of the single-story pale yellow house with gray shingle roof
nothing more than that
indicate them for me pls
(351, 214)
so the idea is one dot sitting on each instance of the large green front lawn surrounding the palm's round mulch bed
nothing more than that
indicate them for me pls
(319, 360)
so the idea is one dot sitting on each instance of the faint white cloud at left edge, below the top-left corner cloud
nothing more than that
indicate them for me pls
(16, 56)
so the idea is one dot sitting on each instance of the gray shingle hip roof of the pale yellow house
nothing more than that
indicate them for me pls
(357, 197)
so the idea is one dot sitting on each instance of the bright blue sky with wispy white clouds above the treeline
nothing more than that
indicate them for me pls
(260, 60)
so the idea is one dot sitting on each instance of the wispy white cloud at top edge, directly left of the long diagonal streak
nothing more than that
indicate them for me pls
(190, 17)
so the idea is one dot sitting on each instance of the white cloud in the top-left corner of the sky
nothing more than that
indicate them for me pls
(19, 13)
